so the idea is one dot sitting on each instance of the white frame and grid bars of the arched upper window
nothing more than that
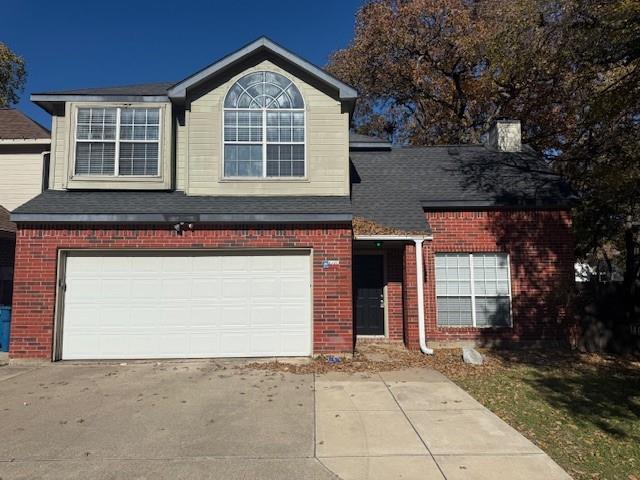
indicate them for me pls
(297, 170)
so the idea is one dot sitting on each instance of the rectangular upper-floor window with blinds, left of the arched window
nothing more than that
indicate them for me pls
(117, 141)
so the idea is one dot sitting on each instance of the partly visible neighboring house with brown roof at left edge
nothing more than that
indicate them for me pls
(24, 146)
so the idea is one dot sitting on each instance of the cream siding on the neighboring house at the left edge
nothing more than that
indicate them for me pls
(21, 178)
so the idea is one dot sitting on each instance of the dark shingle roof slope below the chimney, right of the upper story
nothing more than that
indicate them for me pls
(393, 188)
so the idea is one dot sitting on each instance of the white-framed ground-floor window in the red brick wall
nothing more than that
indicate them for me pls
(473, 290)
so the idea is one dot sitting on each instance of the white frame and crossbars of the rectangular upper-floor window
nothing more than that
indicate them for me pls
(116, 166)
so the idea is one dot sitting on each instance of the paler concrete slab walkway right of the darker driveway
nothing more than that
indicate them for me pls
(416, 424)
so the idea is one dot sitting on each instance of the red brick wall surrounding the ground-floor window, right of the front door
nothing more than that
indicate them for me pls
(540, 248)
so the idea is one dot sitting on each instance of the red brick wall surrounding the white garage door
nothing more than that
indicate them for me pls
(36, 265)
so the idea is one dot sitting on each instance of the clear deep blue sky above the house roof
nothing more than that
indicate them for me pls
(77, 44)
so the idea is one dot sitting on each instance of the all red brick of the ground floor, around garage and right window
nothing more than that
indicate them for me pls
(539, 244)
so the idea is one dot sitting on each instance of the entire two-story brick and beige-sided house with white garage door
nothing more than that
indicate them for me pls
(233, 214)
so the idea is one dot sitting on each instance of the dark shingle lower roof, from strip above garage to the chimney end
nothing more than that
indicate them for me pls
(390, 188)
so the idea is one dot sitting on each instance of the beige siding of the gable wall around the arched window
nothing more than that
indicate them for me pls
(327, 146)
